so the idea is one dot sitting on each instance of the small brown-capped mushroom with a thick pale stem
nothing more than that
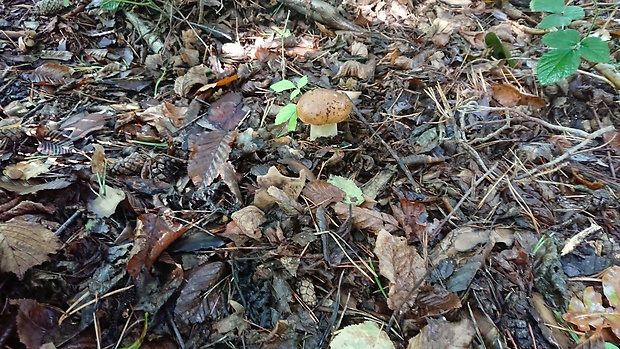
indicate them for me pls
(323, 109)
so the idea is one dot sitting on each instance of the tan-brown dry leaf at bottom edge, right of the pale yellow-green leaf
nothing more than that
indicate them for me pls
(440, 334)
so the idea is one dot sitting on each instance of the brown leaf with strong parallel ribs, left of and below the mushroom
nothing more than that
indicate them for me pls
(208, 151)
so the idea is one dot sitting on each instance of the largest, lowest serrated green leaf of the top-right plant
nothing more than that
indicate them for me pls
(556, 65)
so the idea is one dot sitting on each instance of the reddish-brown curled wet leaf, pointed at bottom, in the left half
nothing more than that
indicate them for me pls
(154, 233)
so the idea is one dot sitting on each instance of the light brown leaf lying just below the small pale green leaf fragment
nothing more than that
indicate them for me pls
(367, 219)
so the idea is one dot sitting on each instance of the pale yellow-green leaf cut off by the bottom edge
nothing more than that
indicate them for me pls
(365, 335)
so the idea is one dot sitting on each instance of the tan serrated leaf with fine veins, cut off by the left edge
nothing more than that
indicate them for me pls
(24, 245)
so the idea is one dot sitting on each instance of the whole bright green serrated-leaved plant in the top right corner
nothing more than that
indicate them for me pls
(568, 45)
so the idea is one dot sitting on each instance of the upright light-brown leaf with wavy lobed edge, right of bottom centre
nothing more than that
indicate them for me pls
(402, 266)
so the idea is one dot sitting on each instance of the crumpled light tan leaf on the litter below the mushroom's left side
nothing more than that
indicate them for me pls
(291, 186)
